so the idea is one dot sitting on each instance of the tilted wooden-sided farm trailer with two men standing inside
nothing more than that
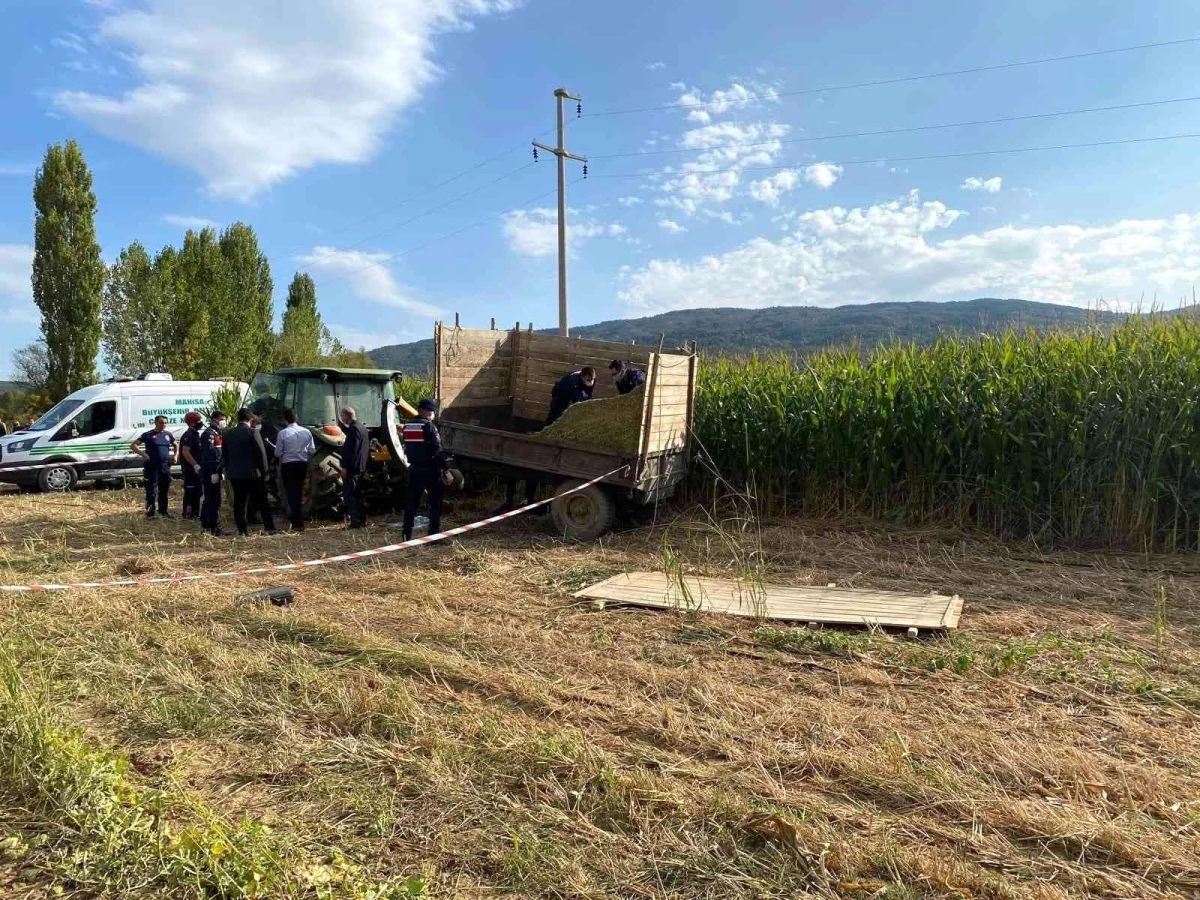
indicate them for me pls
(494, 389)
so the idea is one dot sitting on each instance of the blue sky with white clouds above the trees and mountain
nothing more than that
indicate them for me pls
(315, 119)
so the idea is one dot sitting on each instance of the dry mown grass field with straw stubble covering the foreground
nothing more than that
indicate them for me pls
(449, 724)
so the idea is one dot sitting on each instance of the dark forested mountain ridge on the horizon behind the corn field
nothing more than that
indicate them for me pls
(800, 329)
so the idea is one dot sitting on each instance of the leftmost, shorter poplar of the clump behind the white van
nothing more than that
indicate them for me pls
(136, 323)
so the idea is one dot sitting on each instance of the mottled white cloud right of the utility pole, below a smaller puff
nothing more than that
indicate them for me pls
(713, 177)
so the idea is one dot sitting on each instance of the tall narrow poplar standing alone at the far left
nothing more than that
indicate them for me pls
(69, 274)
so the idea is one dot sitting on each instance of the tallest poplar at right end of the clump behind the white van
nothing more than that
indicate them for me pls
(244, 320)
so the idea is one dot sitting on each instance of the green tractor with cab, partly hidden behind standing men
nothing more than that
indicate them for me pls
(317, 395)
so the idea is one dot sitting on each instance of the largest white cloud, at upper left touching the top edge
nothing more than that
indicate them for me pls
(248, 98)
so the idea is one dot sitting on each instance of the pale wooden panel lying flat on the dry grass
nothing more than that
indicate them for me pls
(833, 607)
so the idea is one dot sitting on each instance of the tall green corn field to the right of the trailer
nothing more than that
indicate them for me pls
(1089, 436)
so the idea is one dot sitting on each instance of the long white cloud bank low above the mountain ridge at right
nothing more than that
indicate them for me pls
(893, 251)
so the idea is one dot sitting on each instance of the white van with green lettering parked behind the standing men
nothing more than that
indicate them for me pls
(89, 433)
